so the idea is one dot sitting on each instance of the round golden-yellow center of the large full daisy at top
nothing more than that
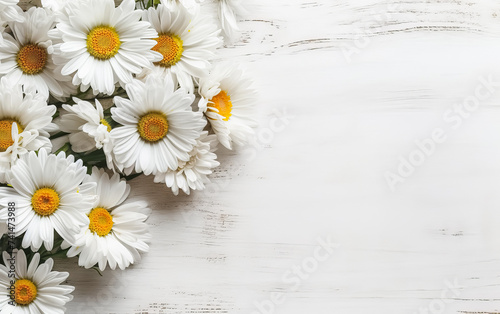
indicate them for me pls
(103, 42)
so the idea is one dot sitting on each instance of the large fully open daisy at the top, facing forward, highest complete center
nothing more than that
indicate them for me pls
(104, 45)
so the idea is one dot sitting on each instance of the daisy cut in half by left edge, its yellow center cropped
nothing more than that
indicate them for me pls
(25, 123)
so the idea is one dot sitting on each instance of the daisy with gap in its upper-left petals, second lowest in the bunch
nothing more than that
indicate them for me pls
(117, 231)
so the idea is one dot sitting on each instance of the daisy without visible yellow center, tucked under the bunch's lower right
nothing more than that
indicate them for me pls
(193, 173)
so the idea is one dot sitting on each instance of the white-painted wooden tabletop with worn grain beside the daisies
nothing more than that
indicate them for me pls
(347, 89)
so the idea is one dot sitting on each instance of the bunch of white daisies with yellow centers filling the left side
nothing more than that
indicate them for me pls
(93, 94)
